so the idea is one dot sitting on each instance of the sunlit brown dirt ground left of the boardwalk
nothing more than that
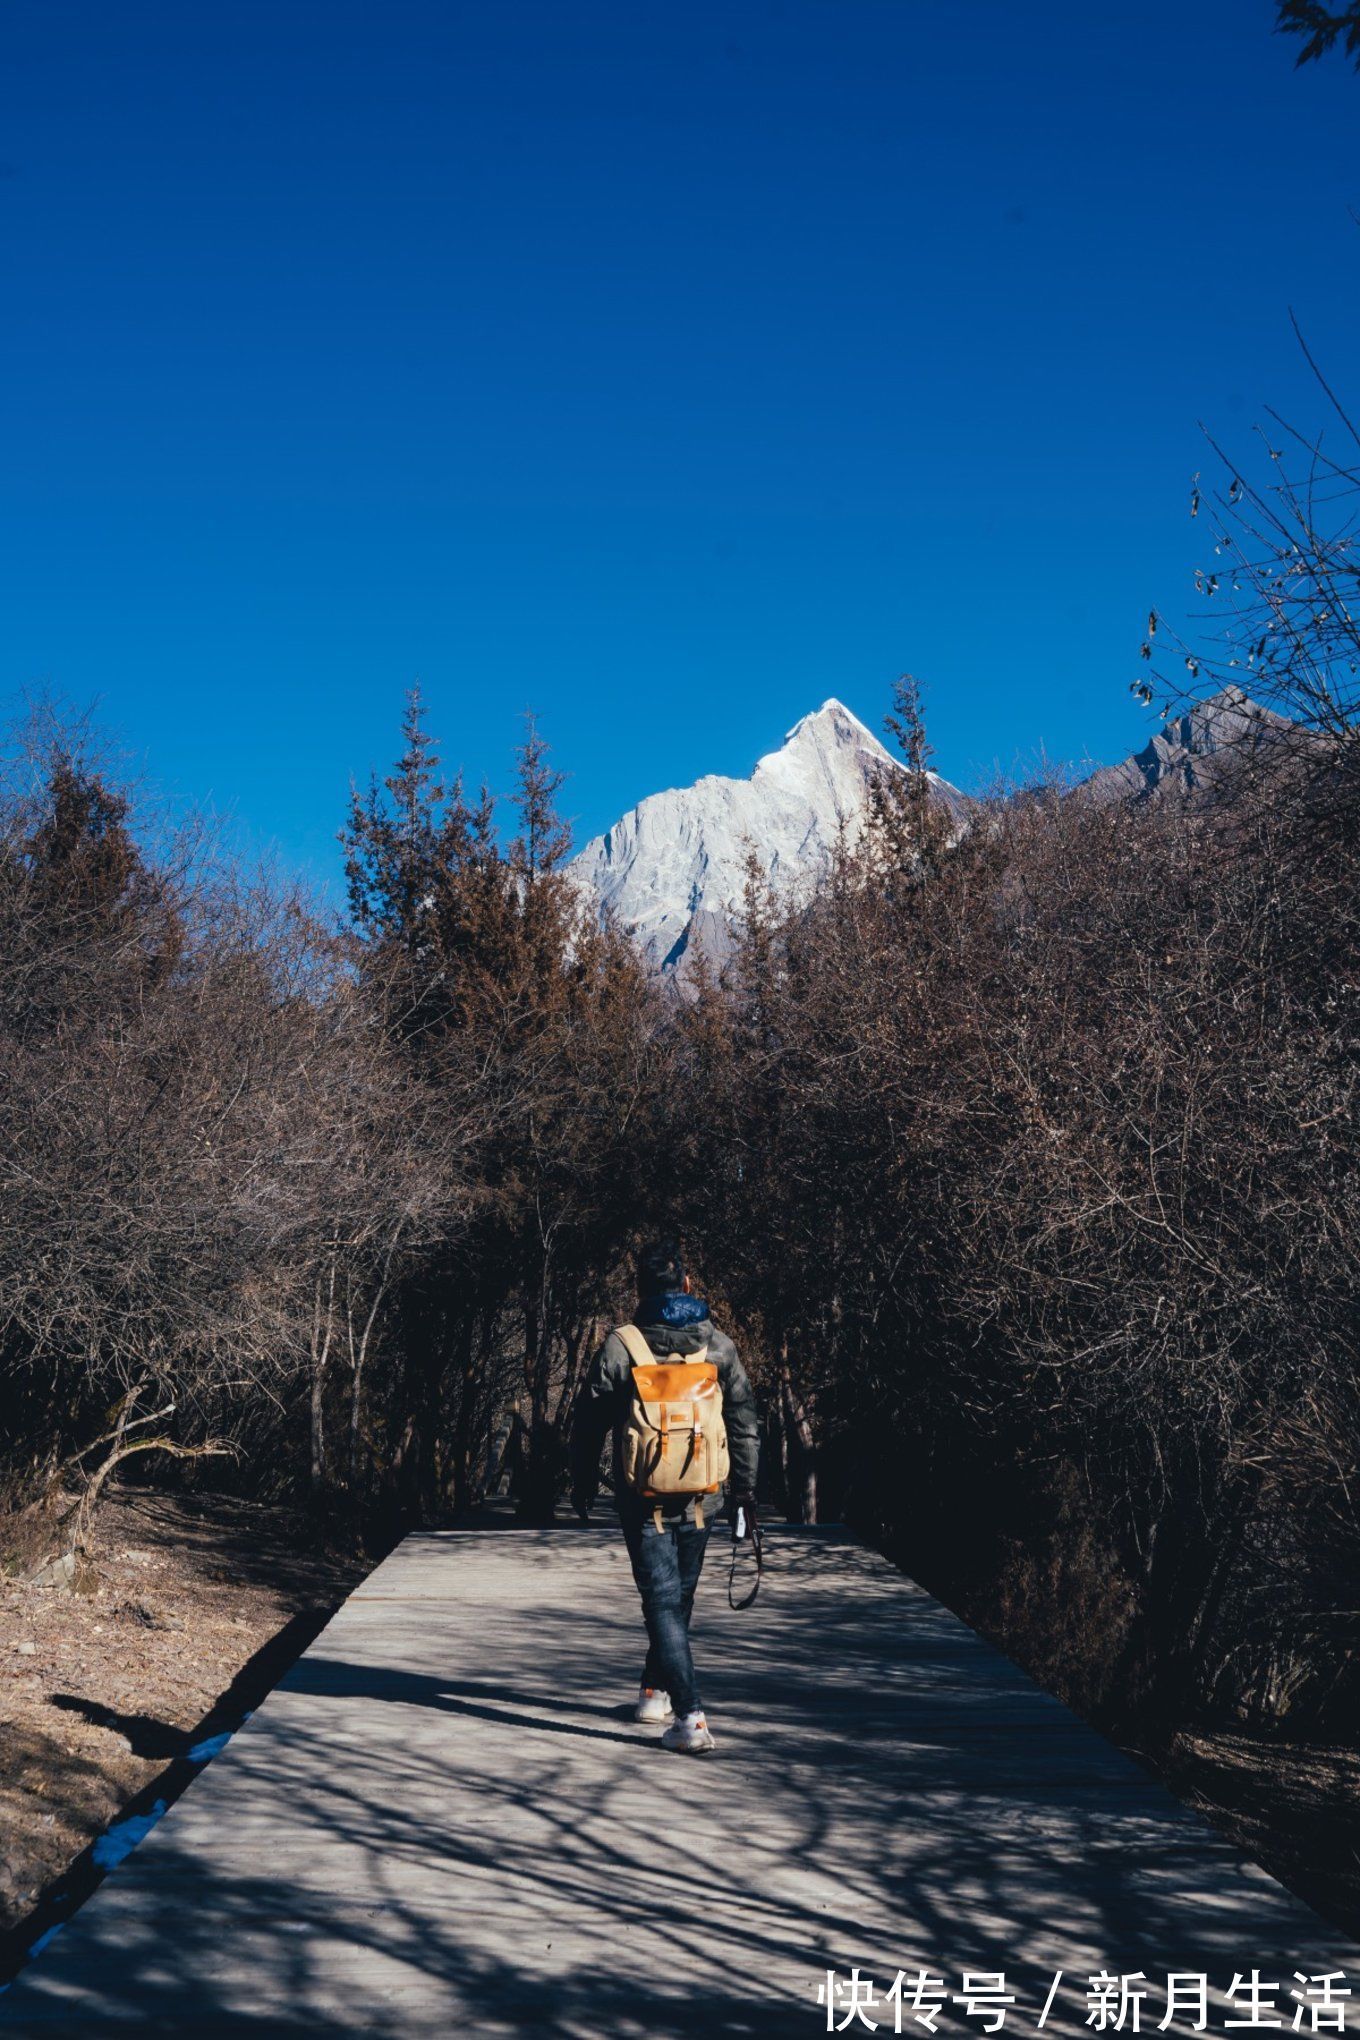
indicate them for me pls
(189, 1615)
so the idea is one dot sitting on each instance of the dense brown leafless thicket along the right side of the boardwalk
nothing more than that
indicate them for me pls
(1037, 1182)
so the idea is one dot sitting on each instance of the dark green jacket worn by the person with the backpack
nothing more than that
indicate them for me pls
(609, 1392)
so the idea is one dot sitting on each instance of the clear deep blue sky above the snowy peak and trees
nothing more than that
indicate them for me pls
(666, 366)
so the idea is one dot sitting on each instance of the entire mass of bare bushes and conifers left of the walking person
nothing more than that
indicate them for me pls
(339, 1213)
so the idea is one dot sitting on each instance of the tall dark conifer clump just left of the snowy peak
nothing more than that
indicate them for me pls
(509, 1007)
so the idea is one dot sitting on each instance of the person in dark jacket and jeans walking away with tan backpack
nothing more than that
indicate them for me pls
(668, 1472)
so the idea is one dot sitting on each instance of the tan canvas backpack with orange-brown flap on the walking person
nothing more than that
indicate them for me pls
(674, 1435)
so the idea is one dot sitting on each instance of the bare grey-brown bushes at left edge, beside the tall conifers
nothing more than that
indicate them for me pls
(182, 1068)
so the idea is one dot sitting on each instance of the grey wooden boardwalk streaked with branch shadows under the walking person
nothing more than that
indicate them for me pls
(443, 1821)
